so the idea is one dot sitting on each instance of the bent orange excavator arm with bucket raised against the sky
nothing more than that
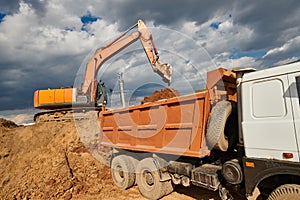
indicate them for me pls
(89, 85)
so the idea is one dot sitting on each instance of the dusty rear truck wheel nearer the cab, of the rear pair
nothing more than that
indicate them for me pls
(148, 180)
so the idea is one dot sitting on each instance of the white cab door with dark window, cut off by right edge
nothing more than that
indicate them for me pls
(294, 81)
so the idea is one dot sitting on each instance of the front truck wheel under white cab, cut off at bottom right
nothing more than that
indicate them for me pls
(286, 192)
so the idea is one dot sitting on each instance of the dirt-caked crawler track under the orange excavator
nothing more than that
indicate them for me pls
(67, 114)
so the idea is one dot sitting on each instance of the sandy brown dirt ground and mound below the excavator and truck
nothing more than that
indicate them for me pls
(50, 161)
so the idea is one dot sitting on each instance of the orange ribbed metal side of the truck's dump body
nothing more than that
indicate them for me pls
(172, 126)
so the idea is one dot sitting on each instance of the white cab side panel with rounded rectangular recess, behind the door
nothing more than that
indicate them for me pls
(268, 122)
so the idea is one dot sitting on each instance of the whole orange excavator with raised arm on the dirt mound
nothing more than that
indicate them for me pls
(67, 104)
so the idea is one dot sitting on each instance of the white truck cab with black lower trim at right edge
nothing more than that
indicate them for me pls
(270, 124)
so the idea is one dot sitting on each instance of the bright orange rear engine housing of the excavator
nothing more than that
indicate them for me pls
(53, 98)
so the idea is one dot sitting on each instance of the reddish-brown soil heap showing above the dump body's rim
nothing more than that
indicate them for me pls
(164, 93)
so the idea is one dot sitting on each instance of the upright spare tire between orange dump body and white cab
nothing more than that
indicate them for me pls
(215, 136)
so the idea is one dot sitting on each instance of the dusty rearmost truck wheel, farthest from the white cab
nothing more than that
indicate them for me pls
(123, 171)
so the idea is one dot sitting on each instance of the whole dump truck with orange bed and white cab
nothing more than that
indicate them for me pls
(243, 130)
